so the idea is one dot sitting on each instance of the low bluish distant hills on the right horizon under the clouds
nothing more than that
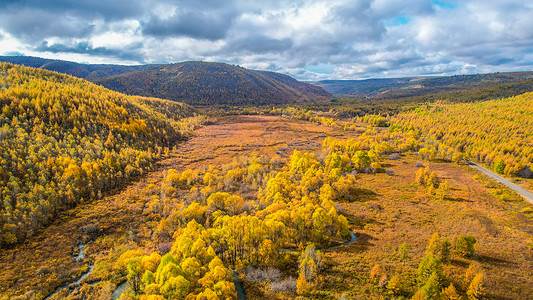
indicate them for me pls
(418, 86)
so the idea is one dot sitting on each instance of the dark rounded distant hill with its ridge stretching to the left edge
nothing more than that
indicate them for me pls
(196, 83)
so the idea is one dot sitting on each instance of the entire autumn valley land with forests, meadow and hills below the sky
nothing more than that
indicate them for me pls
(257, 186)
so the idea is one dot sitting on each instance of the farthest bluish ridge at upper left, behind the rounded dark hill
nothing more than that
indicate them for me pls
(85, 71)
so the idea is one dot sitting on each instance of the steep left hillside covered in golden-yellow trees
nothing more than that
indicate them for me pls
(64, 140)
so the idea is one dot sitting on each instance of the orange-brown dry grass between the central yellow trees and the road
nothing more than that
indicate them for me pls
(393, 210)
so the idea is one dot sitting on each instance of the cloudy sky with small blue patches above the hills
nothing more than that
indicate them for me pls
(309, 40)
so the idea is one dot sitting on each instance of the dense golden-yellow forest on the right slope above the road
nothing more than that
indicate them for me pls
(497, 133)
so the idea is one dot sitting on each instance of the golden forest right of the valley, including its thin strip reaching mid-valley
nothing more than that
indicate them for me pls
(493, 132)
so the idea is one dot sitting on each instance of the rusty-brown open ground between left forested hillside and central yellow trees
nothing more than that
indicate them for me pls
(38, 266)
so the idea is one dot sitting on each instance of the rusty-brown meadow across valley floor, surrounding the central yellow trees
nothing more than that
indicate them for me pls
(393, 215)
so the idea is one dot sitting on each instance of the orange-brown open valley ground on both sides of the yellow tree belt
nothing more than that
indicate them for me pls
(387, 211)
